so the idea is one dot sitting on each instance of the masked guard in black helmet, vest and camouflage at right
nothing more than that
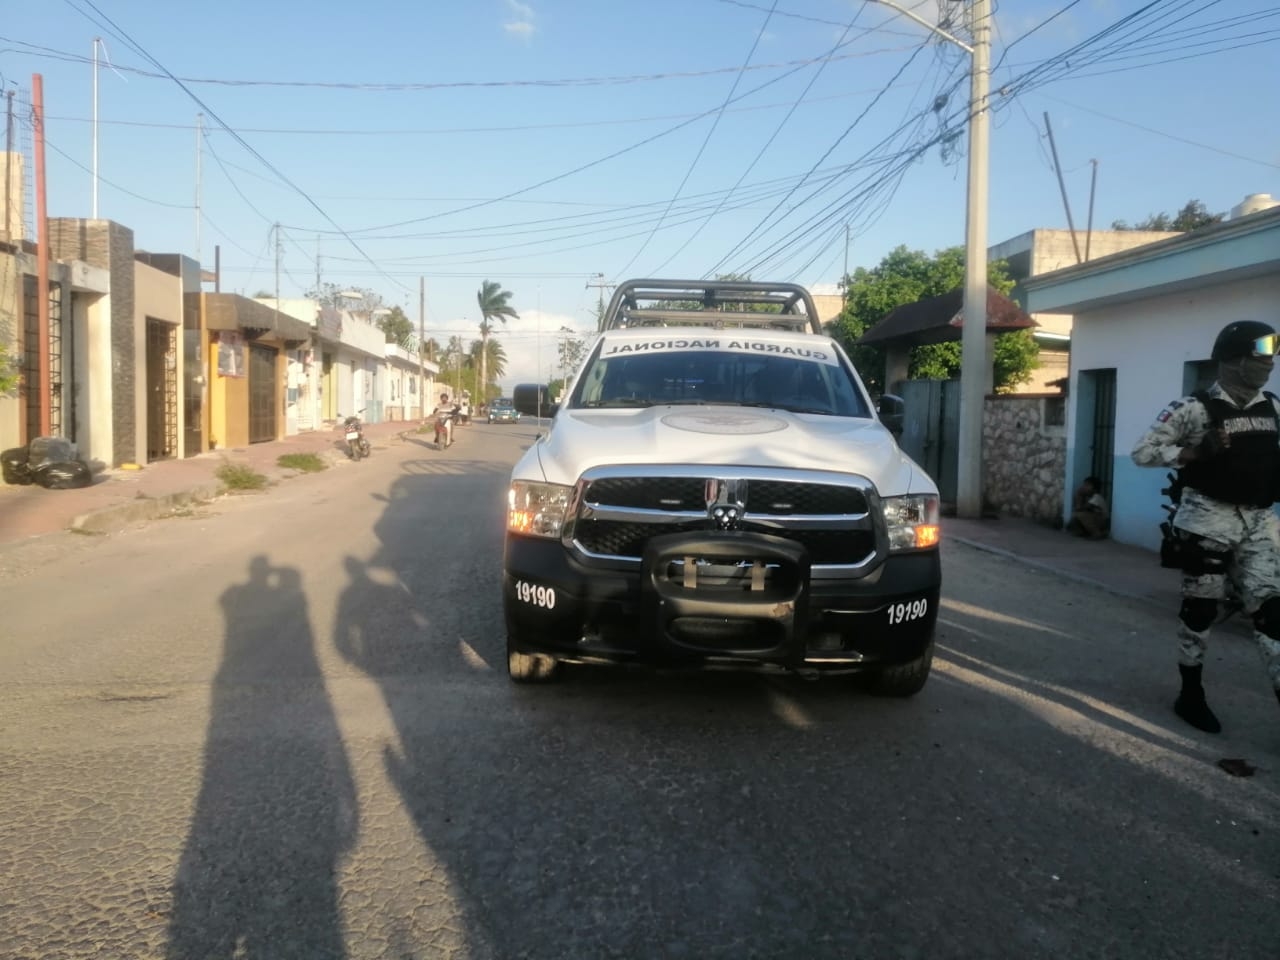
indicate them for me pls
(1227, 446)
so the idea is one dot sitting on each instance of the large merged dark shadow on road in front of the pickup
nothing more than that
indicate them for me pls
(659, 816)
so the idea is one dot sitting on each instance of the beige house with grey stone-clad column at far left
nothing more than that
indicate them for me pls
(112, 378)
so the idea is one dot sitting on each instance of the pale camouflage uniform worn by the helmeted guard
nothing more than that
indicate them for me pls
(1227, 540)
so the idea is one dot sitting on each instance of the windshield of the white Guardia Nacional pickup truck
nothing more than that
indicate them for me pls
(732, 378)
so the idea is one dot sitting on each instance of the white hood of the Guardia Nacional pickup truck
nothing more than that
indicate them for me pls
(716, 436)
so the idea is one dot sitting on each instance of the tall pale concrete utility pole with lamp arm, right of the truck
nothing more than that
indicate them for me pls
(975, 363)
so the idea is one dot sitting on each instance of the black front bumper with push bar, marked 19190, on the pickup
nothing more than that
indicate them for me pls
(715, 600)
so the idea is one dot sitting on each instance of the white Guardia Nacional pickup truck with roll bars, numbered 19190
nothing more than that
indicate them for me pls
(719, 492)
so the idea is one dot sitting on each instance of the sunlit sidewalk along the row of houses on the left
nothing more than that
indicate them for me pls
(122, 497)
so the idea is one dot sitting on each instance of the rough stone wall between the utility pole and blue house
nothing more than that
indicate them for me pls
(1025, 458)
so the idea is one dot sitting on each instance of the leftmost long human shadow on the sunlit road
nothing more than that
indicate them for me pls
(277, 807)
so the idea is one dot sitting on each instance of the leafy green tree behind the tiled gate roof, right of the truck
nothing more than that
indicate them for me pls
(904, 277)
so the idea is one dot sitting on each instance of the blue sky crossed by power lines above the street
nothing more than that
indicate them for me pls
(561, 148)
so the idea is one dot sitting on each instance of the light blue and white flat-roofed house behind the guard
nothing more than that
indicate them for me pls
(1145, 322)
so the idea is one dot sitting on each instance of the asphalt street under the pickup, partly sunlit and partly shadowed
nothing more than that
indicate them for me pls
(281, 728)
